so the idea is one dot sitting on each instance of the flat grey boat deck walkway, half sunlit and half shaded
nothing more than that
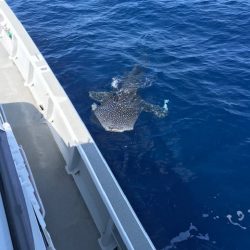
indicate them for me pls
(67, 217)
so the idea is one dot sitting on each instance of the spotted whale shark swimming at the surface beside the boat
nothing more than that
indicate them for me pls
(119, 109)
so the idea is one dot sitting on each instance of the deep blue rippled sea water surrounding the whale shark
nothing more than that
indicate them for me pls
(187, 176)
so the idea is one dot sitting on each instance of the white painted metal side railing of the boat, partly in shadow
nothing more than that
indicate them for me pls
(115, 219)
